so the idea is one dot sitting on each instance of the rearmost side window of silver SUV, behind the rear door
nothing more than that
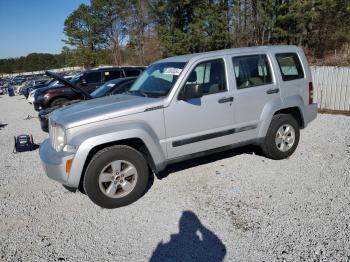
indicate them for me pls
(290, 66)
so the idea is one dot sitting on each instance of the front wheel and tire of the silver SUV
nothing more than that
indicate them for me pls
(116, 176)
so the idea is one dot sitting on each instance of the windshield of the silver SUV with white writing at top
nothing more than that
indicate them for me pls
(158, 79)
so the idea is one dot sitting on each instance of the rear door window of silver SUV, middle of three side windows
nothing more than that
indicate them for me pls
(252, 70)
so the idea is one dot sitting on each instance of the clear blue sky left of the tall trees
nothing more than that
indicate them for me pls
(28, 26)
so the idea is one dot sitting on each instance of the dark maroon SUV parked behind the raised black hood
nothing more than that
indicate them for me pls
(88, 81)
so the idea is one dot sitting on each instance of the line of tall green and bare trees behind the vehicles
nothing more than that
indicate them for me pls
(139, 32)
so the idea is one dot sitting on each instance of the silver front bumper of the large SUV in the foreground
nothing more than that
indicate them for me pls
(54, 163)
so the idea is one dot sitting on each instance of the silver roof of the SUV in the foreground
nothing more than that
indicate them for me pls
(274, 48)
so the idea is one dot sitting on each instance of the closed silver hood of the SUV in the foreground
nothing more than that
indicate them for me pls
(103, 108)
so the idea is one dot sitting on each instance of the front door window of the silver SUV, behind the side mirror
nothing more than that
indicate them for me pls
(210, 75)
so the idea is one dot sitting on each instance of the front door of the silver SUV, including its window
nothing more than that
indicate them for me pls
(201, 123)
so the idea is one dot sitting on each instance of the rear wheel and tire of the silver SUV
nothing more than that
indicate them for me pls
(278, 141)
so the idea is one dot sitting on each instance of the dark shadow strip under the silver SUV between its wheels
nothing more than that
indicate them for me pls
(202, 160)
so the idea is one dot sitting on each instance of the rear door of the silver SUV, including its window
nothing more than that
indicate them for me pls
(256, 87)
